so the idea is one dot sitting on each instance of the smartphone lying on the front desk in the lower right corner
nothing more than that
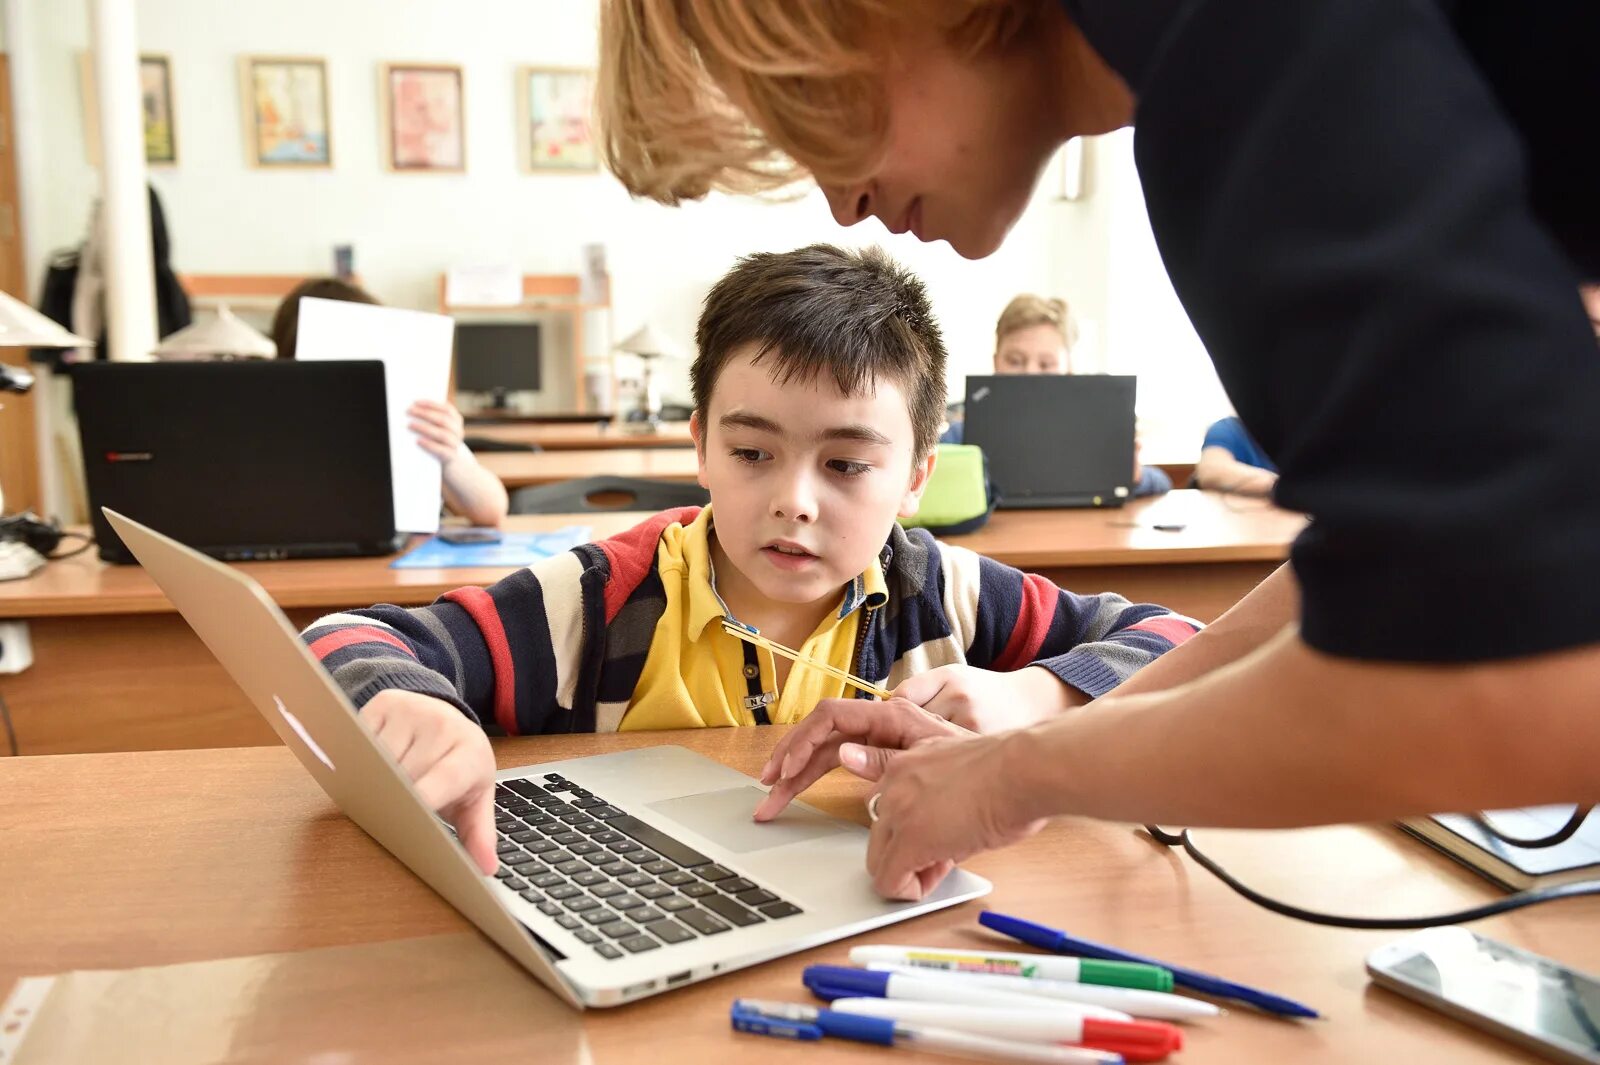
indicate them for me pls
(1526, 999)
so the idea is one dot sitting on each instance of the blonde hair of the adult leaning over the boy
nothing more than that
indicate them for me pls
(730, 95)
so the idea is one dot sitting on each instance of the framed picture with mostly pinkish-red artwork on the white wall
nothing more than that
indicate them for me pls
(425, 118)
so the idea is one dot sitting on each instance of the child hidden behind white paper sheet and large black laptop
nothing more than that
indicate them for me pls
(470, 489)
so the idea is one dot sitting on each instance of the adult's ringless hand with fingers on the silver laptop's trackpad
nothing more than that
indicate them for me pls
(857, 733)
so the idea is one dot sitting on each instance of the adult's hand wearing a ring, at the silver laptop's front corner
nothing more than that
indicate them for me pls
(942, 804)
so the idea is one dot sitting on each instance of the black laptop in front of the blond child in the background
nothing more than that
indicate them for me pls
(1055, 441)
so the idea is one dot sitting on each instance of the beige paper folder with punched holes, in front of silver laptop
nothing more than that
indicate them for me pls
(454, 991)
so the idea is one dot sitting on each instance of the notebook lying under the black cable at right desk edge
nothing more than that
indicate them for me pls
(1510, 866)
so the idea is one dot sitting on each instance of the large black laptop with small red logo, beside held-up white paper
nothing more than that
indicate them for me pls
(241, 460)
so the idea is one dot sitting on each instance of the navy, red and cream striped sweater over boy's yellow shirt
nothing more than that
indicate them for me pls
(561, 647)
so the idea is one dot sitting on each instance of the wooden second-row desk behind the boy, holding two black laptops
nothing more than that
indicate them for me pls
(118, 669)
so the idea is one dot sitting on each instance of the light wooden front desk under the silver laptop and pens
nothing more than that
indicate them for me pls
(185, 856)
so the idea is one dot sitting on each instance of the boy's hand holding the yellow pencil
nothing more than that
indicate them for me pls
(986, 701)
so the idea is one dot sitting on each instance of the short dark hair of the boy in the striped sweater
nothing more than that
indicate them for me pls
(857, 316)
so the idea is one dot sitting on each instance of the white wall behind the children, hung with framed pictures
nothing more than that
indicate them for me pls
(230, 218)
